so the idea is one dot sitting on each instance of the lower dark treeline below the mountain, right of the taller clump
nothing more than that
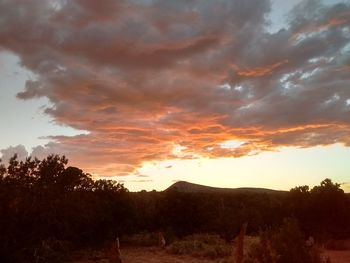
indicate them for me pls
(322, 212)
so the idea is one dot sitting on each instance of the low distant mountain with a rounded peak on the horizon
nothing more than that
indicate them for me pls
(186, 187)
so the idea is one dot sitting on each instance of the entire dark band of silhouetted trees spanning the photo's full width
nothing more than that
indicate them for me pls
(45, 203)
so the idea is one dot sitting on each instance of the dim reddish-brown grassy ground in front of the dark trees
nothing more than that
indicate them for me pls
(199, 248)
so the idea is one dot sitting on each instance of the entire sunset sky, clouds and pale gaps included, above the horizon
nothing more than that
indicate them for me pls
(227, 93)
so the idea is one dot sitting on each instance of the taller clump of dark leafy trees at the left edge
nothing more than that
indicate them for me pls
(42, 202)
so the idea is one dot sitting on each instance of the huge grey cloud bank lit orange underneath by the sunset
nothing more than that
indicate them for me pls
(156, 80)
